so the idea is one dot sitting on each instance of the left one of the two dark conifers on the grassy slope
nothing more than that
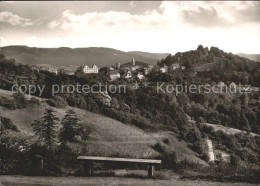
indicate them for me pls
(45, 128)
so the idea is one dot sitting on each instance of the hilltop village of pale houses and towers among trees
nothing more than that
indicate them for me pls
(138, 71)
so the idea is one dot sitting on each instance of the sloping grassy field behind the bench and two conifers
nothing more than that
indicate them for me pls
(108, 137)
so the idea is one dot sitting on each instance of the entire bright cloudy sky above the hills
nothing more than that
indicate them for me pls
(150, 26)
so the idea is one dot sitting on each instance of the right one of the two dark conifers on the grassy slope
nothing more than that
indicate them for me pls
(70, 127)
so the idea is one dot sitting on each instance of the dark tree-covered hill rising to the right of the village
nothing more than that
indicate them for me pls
(220, 66)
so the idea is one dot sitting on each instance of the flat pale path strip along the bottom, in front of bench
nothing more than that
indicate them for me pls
(62, 181)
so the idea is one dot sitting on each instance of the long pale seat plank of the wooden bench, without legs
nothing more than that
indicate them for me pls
(94, 158)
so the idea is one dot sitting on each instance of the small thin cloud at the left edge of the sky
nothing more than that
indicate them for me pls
(15, 20)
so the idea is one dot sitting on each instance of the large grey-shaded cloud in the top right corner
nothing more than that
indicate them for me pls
(210, 14)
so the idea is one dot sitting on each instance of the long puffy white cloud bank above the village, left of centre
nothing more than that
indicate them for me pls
(110, 21)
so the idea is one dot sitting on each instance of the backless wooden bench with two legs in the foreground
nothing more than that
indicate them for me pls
(90, 159)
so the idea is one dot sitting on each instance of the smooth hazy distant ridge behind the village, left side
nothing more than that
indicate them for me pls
(71, 58)
